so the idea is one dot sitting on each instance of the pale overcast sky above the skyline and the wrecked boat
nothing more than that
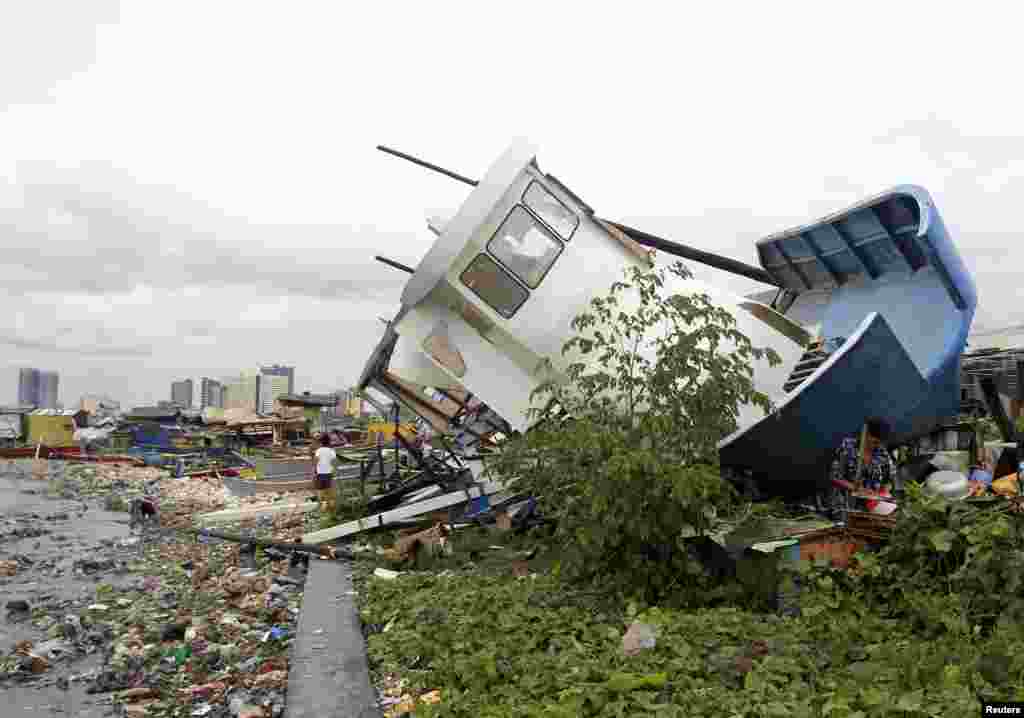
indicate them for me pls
(189, 189)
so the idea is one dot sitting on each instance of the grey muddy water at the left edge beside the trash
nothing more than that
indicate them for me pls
(57, 534)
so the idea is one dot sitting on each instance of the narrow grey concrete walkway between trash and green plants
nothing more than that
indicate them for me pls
(329, 677)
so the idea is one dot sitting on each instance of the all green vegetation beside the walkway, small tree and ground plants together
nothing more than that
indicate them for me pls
(925, 627)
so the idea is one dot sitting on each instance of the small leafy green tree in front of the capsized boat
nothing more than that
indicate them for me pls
(623, 452)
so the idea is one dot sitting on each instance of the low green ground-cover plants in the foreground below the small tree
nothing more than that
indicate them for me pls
(503, 648)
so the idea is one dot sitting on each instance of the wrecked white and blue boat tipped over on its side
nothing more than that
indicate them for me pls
(871, 314)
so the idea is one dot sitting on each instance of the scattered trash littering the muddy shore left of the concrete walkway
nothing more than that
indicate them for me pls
(183, 615)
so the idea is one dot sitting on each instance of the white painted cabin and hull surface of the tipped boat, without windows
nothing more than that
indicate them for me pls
(502, 367)
